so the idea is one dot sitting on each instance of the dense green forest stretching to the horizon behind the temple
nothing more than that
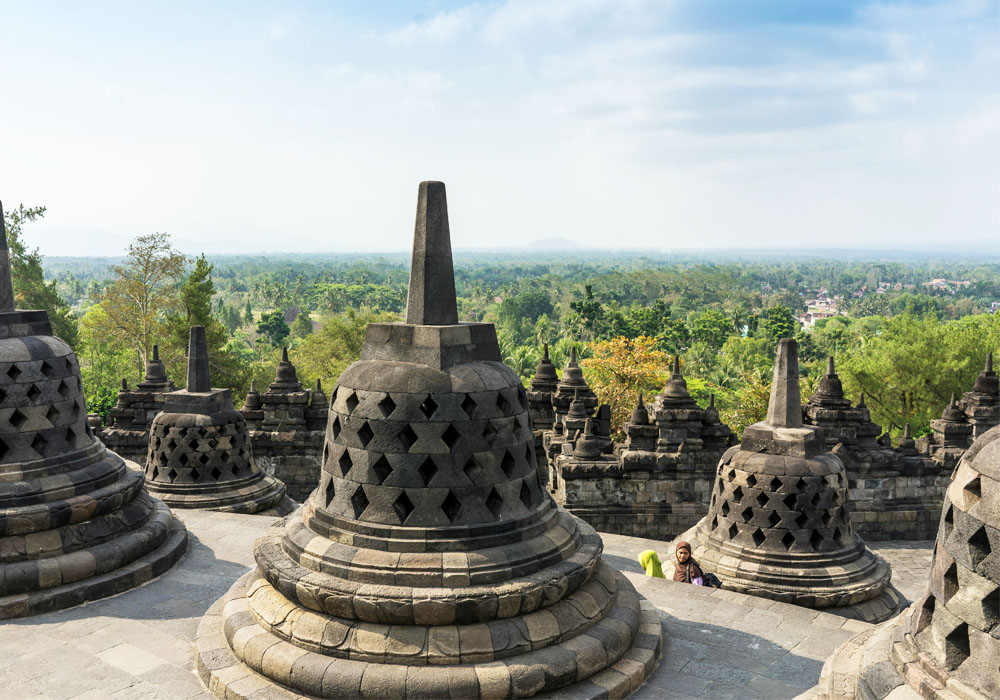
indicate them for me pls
(907, 330)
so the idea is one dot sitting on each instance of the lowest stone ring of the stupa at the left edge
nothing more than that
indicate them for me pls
(121, 579)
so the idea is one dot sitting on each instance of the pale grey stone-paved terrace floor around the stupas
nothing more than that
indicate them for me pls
(139, 645)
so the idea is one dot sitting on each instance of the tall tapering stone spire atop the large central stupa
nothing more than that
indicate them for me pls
(431, 299)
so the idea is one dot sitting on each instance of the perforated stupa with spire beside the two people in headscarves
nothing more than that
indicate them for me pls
(778, 524)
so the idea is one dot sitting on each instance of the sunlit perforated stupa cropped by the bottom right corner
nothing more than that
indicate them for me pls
(947, 645)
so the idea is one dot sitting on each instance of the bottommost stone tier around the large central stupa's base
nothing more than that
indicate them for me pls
(576, 668)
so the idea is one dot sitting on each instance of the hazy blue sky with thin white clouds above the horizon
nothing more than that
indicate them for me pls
(618, 123)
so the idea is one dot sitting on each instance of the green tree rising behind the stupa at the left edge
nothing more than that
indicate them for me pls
(31, 291)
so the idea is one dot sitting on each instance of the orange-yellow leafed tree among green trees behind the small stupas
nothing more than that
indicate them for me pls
(620, 368)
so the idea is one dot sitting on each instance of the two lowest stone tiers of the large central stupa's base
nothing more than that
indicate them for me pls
(577, 668)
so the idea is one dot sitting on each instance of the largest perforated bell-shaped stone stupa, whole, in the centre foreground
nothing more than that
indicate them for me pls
(429, 562)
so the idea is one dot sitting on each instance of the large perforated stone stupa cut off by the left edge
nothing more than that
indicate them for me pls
(75, 524)
